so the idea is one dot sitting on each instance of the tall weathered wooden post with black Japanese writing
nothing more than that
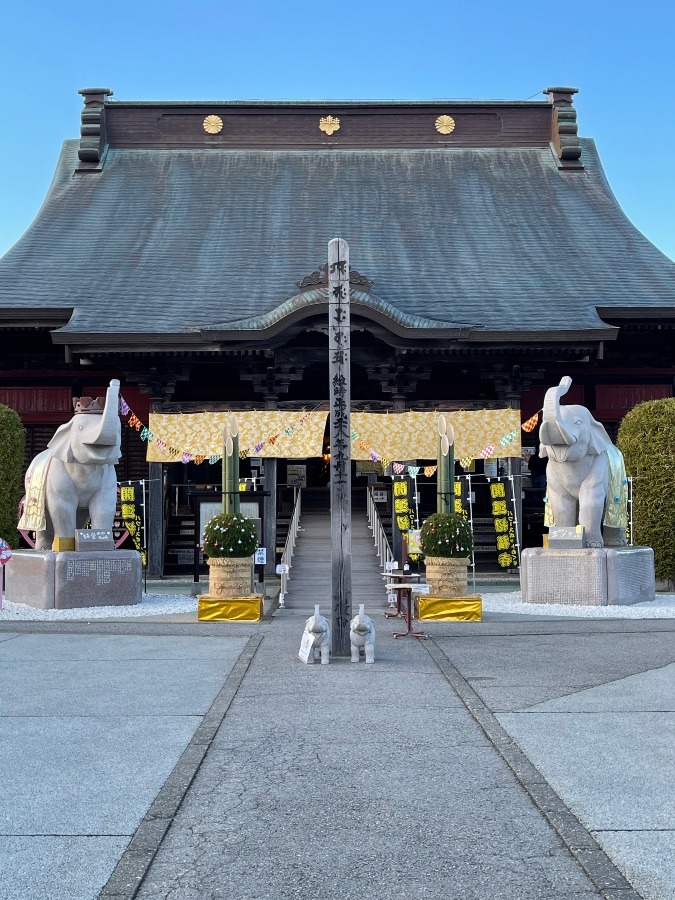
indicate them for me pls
(340, 444)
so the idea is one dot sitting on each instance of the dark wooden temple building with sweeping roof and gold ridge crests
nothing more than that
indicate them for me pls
(182, 249)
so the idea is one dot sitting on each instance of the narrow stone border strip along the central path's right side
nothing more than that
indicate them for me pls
(603, 873)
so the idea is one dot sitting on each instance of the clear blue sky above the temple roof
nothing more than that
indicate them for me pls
(619, 55)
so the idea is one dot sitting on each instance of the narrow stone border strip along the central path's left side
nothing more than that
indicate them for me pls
(131, 869)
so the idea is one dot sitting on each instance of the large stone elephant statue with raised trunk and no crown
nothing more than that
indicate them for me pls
(586, 478)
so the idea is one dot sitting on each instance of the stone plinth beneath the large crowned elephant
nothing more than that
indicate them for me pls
(74, 580)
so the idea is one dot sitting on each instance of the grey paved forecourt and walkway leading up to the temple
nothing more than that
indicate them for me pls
(494, 760)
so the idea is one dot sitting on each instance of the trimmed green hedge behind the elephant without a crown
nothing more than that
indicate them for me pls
(647, 440)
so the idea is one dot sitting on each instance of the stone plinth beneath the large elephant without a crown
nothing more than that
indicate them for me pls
(611, 576)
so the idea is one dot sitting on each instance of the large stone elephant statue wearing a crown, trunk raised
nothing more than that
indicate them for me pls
(74, 479)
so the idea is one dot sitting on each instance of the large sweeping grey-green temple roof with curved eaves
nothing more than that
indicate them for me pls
(457, 239)
